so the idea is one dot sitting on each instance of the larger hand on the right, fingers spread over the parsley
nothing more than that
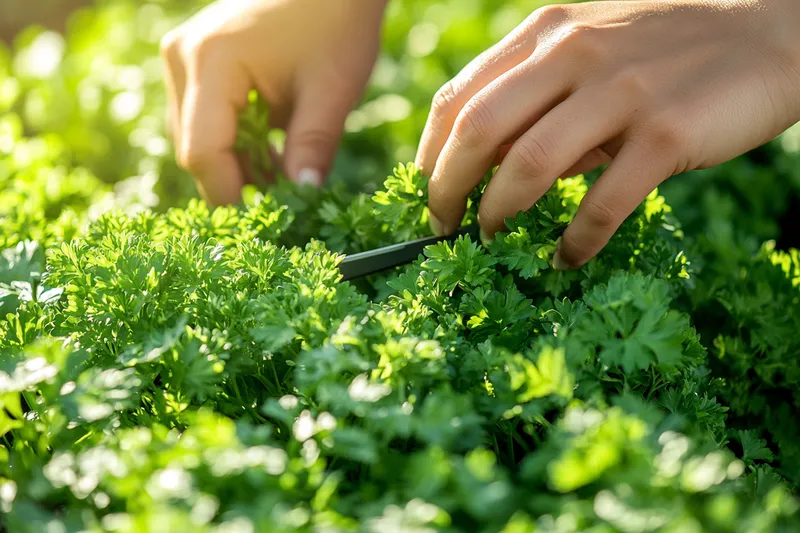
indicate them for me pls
(656, 88)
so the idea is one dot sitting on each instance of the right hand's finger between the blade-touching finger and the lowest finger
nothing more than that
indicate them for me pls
(553, 145)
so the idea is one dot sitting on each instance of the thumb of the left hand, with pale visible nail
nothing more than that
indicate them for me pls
(314, 132)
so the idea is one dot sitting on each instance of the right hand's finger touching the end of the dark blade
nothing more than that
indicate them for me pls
(495, 116)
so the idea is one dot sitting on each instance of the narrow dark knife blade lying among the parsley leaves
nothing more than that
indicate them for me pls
(372, 261)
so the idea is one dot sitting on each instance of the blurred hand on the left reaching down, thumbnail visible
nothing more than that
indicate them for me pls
(310, 60)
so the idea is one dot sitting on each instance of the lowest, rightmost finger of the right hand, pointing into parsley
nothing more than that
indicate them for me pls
(633, 174)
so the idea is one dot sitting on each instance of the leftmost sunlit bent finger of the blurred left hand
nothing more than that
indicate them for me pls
(216, 93)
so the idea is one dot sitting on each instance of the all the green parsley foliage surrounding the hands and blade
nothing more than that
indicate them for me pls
(205, 370)
